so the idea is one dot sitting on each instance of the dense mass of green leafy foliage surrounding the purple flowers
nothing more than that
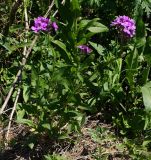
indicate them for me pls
(60, 85)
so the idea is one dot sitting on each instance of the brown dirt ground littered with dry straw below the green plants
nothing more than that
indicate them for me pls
(96, 141)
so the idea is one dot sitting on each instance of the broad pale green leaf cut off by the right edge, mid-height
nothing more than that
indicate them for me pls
(146, 91)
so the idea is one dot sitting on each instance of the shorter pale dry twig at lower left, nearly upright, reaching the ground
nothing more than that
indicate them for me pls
(12, 113)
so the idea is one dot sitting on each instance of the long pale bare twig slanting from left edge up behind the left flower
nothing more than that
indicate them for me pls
(23, 64)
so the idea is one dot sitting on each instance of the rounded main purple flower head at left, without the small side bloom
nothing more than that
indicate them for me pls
(41, 24)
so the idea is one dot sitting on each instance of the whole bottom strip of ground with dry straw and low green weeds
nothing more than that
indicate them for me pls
(97, 141)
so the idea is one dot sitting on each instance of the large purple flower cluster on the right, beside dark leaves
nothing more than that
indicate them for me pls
(125, 25)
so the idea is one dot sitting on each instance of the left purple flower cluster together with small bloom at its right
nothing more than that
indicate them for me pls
(43, 24)
